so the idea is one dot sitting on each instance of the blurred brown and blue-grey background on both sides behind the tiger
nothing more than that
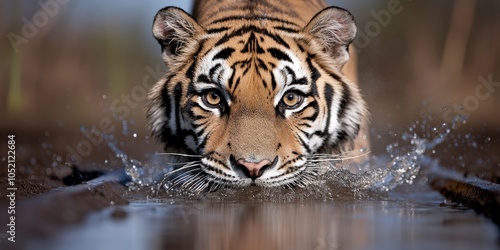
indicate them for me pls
(72, 70)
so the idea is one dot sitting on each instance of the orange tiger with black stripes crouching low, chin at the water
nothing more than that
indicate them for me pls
(260, 91)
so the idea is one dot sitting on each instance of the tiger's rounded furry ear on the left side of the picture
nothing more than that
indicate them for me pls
(175, 30)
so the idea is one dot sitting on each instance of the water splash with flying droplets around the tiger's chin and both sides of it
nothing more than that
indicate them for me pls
(401, 165)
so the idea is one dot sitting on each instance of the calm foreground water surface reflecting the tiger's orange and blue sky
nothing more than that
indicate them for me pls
(339, 224)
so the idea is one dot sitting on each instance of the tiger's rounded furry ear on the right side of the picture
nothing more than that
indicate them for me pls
(334, 29)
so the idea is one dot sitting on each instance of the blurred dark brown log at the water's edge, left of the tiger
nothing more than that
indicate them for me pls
(45, 214)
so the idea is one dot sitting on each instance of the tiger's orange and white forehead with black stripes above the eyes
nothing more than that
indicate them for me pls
(253, 53)
